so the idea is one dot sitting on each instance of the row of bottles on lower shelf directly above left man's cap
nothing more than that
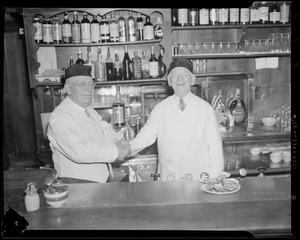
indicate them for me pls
(109, 69)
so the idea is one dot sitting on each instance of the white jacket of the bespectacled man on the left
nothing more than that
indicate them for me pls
(78, 149)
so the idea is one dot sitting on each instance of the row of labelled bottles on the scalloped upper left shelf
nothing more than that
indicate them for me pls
(86, 31)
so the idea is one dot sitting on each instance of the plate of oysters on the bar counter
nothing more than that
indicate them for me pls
(220, 185)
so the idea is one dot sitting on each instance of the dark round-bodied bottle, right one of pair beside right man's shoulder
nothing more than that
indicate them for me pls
(237, 109)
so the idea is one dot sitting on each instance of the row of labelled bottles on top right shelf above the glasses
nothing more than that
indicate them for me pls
(259, 12)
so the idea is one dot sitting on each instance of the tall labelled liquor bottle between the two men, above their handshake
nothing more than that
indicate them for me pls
(118, 108)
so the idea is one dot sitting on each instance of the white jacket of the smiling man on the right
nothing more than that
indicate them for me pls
(188, 141)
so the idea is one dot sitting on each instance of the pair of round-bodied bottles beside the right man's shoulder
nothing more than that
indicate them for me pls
(231, 112)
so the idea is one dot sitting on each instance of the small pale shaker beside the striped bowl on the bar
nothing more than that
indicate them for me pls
(32, 198)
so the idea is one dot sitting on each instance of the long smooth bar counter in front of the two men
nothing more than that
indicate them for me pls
(261, 207)
